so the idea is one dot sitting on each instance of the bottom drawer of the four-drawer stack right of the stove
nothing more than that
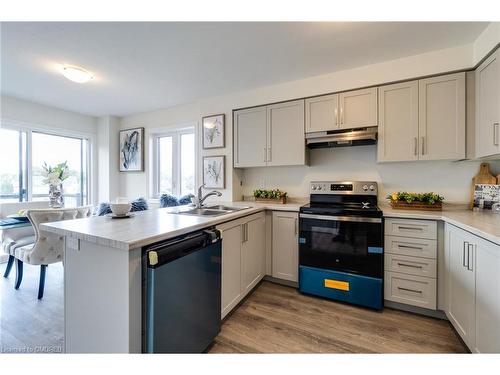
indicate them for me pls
(411, 290)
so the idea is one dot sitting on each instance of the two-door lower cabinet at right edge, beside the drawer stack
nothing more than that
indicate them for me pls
(473, 289)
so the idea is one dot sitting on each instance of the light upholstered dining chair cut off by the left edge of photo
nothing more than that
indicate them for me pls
(17, 237)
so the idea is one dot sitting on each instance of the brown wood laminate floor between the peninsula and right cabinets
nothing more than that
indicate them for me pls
(278, 319)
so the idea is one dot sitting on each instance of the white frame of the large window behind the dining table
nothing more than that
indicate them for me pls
(29, 129)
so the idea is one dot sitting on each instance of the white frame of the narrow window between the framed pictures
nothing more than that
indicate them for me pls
(176, 159)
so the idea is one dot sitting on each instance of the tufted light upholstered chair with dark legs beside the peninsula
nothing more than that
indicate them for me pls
(48, 247)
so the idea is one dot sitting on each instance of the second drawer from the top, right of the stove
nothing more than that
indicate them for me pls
(411, 246)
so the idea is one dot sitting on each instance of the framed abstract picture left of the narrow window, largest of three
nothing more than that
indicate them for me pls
(131, 149)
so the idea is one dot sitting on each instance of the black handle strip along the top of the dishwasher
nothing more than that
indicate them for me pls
(168, 251)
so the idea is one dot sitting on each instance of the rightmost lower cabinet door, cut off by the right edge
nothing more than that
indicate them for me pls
(487, 297)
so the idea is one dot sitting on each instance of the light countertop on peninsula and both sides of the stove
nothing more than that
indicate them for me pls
(147, 227)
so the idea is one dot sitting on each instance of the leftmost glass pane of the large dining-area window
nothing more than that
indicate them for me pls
(12, 165)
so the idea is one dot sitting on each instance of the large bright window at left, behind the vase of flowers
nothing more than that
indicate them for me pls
(21, 180)
